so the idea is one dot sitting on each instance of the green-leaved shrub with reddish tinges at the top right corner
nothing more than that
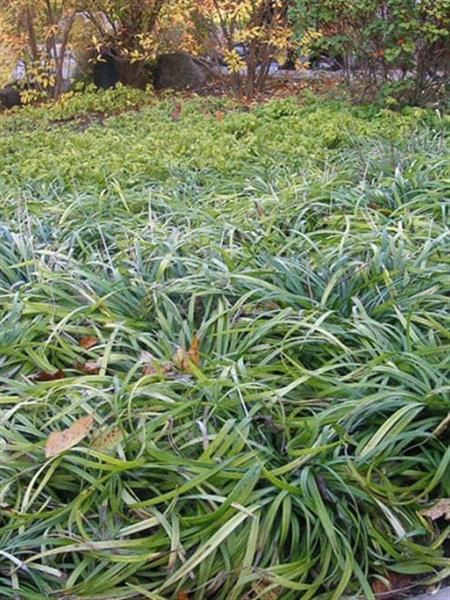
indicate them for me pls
(397, 50)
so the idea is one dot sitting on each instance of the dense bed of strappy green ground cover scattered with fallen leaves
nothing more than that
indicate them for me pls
(223, 350)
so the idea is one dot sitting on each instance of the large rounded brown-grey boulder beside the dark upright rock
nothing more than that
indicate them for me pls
(180, 71)
